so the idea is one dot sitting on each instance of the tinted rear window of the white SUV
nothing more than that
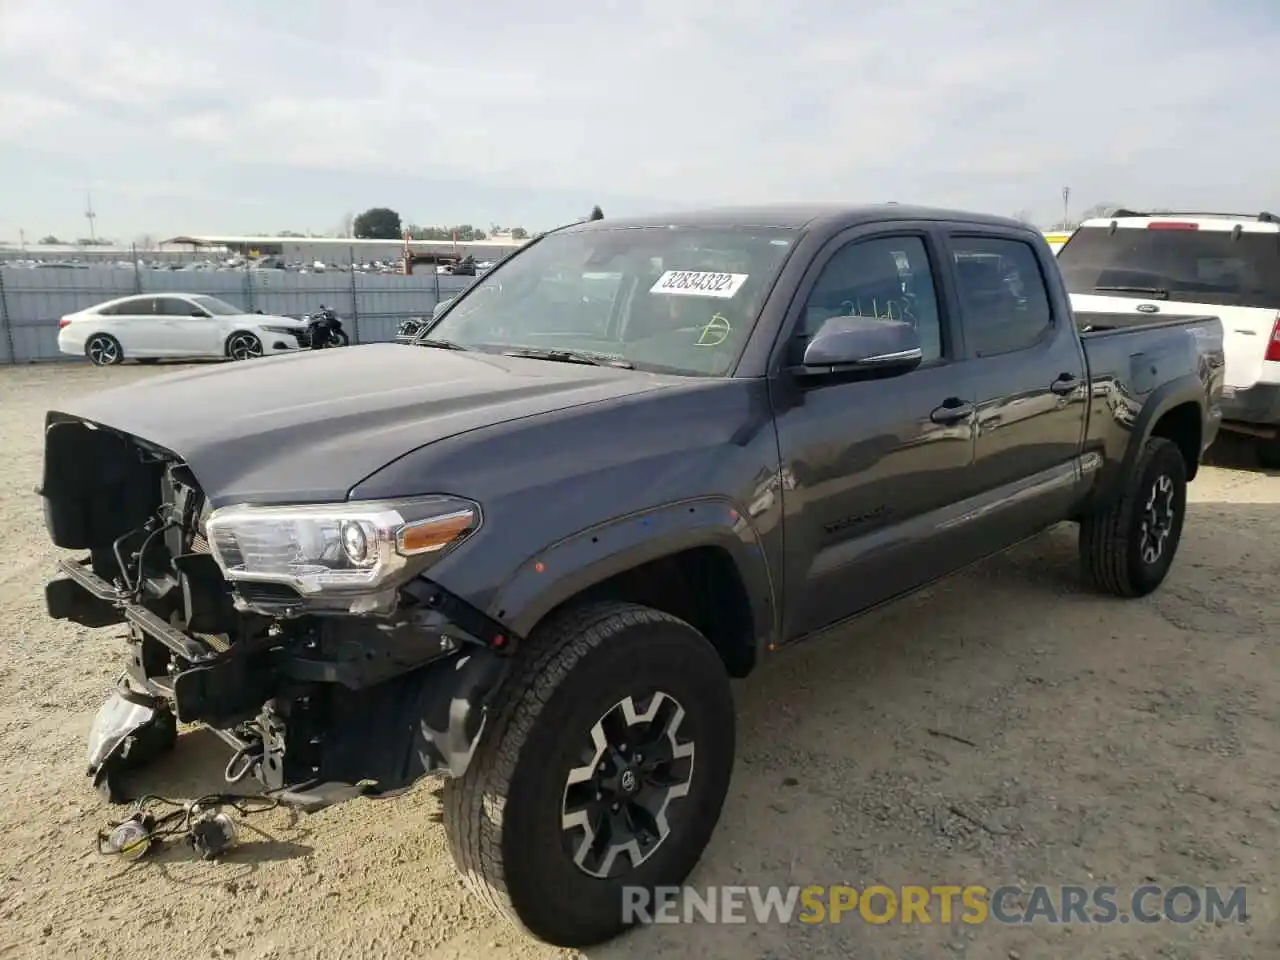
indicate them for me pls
(1203, 267)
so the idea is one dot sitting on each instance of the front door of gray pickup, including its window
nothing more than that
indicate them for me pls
(872, 463)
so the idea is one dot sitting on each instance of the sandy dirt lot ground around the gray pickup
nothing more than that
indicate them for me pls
(1108, 743)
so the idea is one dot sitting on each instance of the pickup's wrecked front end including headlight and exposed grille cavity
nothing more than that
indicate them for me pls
(310, 638)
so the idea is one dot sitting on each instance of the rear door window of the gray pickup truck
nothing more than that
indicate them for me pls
(1004, 305)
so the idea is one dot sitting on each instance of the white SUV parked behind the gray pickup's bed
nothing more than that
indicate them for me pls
(1168, 266)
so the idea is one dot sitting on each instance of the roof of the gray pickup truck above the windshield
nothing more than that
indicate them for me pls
(796, 217)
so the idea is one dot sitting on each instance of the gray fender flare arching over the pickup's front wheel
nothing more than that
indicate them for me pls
(596, 554)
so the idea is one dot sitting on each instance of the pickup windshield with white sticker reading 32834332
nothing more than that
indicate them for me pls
(668, 299)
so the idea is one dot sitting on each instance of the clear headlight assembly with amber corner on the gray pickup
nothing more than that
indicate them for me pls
(337, 550)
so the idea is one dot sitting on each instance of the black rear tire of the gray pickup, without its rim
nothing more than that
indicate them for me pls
(1110, 537)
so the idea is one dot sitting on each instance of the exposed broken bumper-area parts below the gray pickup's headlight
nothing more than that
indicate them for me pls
(349, 711)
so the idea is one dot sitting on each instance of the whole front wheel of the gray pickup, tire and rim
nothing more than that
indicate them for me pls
(602, 778)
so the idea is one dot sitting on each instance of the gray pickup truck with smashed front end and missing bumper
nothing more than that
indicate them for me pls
(528, 552)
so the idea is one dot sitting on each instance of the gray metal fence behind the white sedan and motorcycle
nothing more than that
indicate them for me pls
(371, 304)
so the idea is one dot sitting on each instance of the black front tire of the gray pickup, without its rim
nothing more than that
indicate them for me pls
(504, 816)
